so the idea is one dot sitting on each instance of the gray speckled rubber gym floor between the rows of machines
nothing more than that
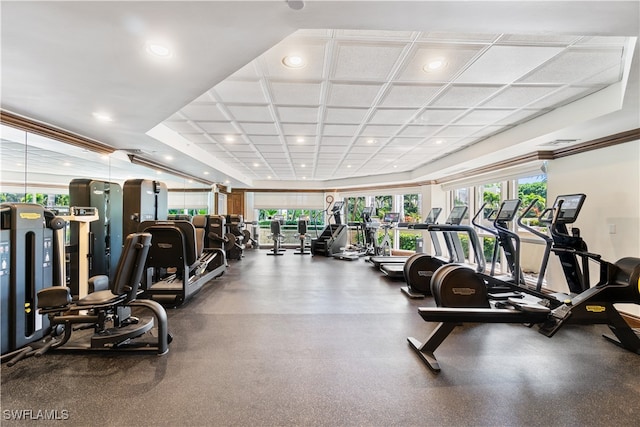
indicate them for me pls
(310, 341)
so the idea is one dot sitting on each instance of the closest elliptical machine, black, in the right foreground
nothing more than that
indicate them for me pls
(618, 283)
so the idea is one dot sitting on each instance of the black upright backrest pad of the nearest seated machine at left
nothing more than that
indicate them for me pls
(131, 264)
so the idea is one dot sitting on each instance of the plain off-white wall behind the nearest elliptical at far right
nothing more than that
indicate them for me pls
(610, 218)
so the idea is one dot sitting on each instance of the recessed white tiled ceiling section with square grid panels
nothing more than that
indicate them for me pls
(369, 102)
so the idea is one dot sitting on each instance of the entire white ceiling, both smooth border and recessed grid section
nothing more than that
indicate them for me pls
(384, 92)
